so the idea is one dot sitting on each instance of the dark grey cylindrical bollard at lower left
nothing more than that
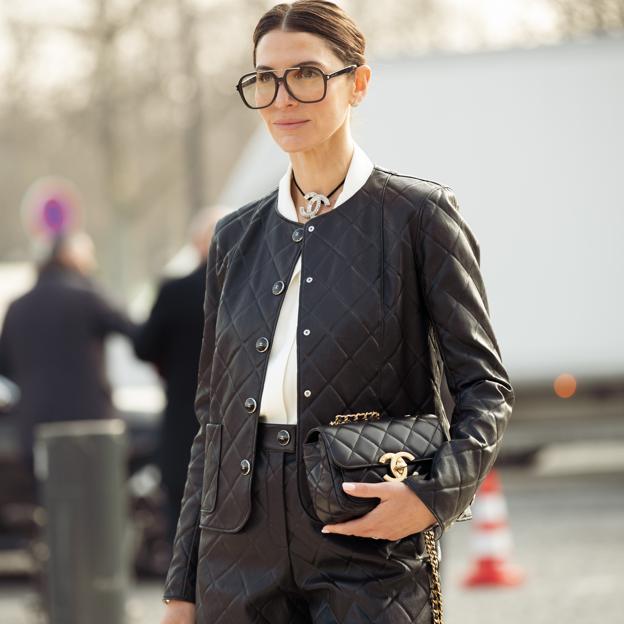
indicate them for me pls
(82, 474)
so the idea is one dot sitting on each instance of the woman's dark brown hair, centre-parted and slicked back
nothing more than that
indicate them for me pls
(325, 19)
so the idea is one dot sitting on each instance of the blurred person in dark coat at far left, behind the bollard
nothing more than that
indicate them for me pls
(52, 341)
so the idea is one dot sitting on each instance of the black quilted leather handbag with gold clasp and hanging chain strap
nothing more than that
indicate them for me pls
(363, 447)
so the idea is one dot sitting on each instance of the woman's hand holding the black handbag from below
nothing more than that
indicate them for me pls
(400, 512)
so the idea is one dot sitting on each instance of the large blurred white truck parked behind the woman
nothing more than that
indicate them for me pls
(532, 142)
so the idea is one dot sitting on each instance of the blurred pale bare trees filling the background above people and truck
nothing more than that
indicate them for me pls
(148, 124)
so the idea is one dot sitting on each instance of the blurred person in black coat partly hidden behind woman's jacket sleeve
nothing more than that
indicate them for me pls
(171, 339)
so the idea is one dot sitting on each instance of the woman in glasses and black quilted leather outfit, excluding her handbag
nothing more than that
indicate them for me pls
(344, 290)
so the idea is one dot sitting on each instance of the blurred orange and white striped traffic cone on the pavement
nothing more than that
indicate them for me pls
(492, 542)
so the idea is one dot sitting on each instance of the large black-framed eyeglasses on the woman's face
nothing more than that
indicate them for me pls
(306, 84)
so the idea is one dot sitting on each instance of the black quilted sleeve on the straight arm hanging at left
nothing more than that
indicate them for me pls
(181, 576)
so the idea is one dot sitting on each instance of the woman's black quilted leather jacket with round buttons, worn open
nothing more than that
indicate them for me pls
(396, 298)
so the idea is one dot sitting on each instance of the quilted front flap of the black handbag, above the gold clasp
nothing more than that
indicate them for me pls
(361, 444)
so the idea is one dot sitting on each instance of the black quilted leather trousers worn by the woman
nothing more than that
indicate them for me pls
(280, 568)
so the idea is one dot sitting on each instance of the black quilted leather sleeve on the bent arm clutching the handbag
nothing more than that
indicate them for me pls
(447, 255)
